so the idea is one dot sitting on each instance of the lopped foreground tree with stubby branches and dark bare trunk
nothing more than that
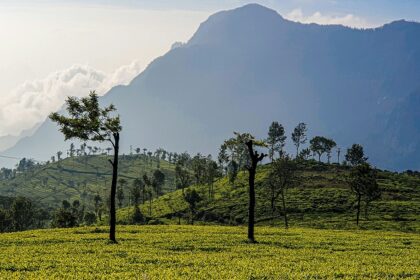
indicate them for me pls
(255, 158)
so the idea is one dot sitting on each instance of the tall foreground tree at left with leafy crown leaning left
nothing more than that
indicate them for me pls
(88, 122)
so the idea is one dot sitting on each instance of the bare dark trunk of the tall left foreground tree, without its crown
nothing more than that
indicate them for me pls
(113, 218)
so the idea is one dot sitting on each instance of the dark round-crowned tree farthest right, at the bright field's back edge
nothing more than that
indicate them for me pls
(363, 184)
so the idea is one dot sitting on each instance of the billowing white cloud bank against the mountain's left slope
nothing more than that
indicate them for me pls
(33, 101)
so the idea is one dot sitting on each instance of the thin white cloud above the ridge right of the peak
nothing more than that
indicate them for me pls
(317, 17)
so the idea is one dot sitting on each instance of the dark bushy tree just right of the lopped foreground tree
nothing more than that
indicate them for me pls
(283, 175)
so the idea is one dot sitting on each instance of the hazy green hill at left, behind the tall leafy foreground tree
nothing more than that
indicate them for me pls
(80, 178)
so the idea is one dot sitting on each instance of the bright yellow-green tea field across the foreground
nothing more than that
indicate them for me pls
(208, 252)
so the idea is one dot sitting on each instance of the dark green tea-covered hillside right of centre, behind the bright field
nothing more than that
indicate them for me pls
(322, 200)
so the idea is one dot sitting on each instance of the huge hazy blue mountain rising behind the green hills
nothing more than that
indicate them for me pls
(246, 67)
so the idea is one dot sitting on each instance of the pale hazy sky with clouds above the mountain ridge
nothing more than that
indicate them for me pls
(51, 49)
